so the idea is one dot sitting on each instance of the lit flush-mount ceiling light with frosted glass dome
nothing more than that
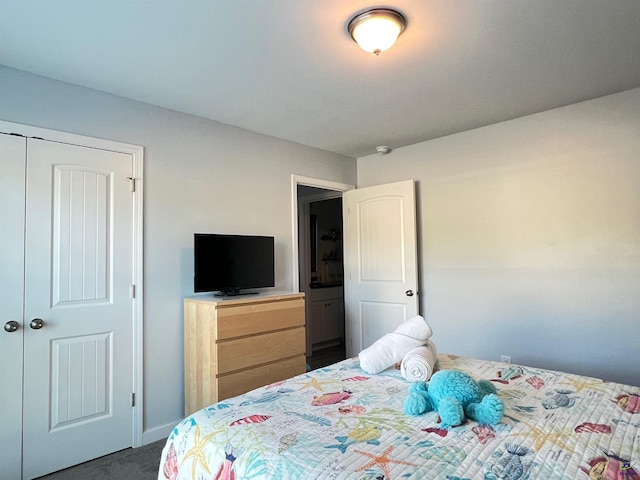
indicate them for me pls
(376, 30)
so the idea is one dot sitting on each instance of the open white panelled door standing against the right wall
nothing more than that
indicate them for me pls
(381, 274)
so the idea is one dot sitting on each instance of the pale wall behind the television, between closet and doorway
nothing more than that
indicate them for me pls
(199, 175)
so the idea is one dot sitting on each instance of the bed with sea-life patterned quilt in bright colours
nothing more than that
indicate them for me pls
(340, 423)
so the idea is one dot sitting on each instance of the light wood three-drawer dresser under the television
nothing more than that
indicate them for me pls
(232, 346)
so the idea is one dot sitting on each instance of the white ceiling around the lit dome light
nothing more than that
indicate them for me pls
(288, 68)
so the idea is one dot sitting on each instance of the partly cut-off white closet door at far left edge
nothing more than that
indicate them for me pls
(12, 171)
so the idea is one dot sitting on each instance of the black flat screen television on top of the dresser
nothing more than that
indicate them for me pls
(228, 264)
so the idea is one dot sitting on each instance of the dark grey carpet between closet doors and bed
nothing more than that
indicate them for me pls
(140, 463)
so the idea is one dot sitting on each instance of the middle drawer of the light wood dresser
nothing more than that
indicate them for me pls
(247, 352)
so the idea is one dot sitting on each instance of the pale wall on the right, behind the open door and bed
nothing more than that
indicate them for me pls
(529, 235)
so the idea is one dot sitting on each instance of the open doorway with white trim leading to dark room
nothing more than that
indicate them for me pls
(318, 226)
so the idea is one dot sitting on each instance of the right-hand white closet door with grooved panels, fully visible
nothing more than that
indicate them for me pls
(78, 361)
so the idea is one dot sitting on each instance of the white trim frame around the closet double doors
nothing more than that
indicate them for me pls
(137, 153)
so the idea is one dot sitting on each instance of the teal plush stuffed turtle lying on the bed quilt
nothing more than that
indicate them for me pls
(455, 395)
